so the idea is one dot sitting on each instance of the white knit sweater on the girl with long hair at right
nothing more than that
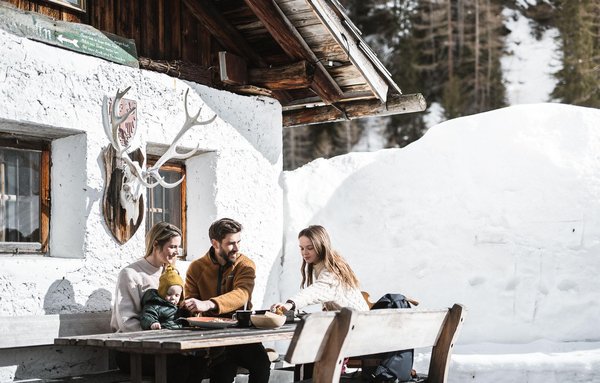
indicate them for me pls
(328, 290)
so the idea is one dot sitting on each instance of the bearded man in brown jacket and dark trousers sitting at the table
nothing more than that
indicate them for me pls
(218, 284)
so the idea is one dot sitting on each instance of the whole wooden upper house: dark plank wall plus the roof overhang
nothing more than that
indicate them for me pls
(305, 53)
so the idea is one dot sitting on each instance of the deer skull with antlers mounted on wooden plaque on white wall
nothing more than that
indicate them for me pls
(127, 176)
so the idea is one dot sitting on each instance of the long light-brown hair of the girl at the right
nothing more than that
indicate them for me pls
(332, 260)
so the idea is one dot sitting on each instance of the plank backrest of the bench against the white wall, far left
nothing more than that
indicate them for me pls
(40, 330)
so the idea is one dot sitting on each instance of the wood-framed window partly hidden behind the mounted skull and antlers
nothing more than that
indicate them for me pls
(167, 204)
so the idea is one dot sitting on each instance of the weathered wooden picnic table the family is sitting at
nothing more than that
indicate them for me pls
(163, 342)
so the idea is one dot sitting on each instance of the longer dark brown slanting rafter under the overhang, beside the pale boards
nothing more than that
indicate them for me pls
(292, 43)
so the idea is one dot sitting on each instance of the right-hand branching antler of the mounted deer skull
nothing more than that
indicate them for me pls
(172, 153)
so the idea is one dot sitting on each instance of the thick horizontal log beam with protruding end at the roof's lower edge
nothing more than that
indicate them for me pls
(396, 104)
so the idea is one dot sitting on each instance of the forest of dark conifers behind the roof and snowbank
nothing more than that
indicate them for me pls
(451, 52)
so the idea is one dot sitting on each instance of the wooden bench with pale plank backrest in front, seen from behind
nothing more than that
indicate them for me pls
(326, 338)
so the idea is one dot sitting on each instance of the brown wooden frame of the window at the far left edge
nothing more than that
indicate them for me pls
(41, 247)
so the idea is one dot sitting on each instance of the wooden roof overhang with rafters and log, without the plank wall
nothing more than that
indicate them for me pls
(305, 53)
